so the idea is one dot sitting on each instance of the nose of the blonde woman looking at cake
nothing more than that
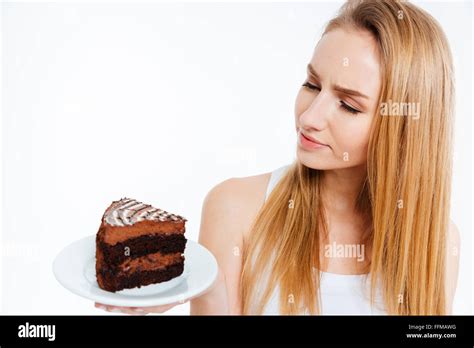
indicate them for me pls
(316, 116)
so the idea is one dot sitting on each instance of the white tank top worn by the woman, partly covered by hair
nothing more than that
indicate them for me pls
(341, 294)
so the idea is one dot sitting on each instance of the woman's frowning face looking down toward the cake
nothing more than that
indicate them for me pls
(337, 103)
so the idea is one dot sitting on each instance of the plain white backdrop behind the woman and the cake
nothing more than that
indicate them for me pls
(160, 102)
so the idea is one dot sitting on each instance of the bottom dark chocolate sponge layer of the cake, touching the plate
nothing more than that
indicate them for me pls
(116, 282)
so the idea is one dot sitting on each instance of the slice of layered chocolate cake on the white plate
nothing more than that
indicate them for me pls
(138, 245)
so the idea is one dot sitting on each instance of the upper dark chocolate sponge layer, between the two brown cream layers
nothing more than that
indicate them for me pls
(139, 246)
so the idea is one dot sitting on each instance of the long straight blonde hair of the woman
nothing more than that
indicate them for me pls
(406, 193)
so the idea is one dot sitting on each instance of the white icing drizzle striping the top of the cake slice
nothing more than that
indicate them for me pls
(128, 211)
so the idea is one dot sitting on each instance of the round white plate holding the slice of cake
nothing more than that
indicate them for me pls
(74, 268)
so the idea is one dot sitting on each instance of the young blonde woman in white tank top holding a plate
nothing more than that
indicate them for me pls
(373, 123)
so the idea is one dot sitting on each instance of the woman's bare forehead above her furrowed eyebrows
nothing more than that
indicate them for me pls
(349, 58)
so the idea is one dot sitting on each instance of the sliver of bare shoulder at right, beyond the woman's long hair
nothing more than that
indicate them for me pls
(453, 244)
